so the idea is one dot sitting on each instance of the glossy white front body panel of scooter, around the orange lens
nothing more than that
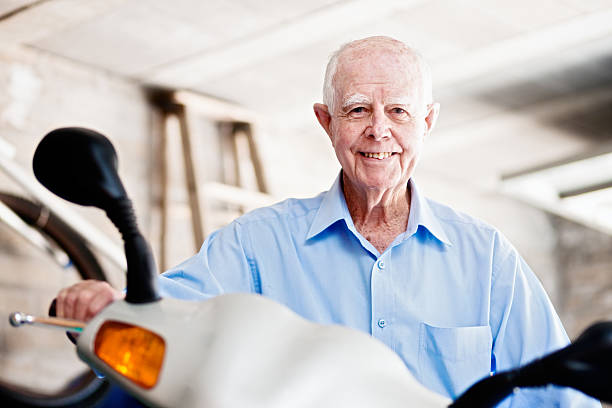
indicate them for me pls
(243, 350)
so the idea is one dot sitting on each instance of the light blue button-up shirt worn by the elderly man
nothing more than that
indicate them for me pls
(450, 295)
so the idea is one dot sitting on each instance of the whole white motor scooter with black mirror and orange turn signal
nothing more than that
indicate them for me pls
(243, 350)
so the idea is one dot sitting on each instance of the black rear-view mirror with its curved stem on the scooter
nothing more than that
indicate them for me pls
(80, 165)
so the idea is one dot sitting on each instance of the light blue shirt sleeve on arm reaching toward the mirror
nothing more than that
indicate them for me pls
(221, 266)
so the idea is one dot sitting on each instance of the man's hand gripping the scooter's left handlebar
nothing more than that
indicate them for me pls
(85, 299)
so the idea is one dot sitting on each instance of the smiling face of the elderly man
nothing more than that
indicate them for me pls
(380, 119)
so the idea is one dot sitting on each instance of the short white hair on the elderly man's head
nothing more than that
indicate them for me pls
(329, 91)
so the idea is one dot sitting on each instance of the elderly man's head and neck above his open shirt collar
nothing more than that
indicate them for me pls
(377, 121)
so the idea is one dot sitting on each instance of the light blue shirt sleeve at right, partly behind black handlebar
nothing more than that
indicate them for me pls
(525, 326)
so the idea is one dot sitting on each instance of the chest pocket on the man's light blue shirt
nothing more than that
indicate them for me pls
(453, 358)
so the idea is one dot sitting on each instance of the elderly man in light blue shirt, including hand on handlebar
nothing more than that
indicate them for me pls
(446, 292)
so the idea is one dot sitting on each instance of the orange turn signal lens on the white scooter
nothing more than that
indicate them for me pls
(133, 351)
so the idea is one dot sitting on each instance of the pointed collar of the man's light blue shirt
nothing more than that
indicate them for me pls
(333, 208)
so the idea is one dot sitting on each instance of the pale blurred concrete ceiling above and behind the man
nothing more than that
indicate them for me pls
(522, 83)
